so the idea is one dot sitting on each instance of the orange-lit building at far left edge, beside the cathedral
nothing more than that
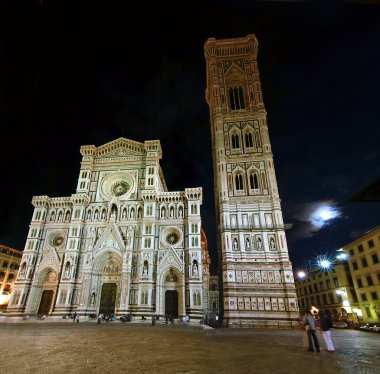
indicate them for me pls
(9, 263)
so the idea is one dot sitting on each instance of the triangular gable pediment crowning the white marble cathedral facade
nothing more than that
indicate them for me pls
(121, 147)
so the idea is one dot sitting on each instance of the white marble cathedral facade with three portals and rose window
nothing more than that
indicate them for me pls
(122, 243)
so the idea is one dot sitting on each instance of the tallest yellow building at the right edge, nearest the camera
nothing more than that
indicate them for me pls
(364, 255)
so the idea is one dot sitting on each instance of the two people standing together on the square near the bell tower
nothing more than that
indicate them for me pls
(325, 325)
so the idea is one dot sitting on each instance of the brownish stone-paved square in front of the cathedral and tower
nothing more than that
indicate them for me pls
(114, 347)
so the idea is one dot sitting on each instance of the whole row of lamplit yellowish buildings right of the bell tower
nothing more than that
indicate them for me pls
(350, 289)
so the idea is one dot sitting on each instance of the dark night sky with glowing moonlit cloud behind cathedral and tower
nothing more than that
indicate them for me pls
(73, 75)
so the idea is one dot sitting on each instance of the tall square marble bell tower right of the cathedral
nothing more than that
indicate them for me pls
(257, 278)
